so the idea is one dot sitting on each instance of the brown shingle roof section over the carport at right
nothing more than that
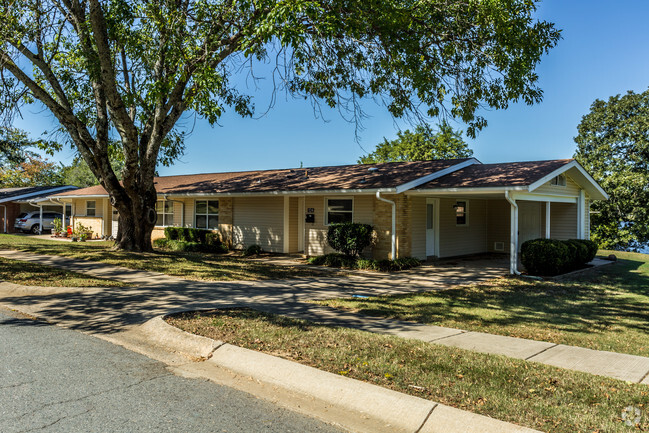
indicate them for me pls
(497, 175)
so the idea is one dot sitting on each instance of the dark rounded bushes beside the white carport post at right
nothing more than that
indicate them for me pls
(549, 257)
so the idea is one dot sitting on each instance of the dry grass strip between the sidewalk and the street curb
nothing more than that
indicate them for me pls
(534, 395)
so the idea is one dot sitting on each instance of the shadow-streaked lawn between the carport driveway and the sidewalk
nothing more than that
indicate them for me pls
(605, 309)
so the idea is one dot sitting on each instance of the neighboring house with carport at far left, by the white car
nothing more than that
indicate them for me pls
(14, 201)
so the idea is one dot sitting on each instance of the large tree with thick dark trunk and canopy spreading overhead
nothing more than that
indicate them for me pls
(130, 69)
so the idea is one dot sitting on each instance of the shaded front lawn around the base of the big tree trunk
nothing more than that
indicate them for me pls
(197, 266)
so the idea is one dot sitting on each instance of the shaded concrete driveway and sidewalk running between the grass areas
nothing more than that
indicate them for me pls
(114, 309)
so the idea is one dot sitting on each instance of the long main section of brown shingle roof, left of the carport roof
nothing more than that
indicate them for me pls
(357, 176)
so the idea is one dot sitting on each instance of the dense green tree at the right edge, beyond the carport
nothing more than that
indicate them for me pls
(613, 145)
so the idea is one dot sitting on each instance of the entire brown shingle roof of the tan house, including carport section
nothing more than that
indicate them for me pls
(388, 175)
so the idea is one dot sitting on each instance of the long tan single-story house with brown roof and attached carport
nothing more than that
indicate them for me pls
(439, 208)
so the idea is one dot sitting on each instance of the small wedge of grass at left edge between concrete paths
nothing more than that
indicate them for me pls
(33, 274)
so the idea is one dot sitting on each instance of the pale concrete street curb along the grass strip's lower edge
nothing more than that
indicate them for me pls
(367, 407)
